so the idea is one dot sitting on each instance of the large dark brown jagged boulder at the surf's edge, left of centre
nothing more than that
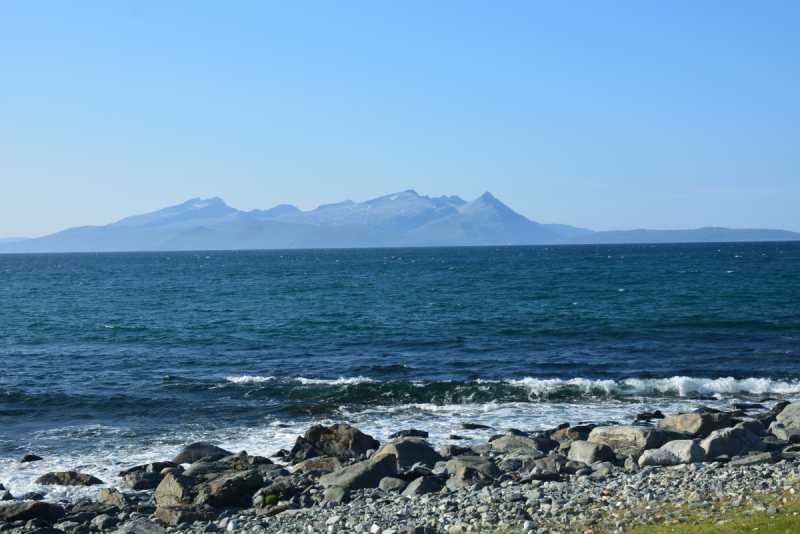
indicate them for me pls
(341, 441)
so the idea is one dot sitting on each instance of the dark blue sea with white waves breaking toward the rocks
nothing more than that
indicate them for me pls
(111, 360)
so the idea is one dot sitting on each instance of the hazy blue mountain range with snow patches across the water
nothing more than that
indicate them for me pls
(403, 219)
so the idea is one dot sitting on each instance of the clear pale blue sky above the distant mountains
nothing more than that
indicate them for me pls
(608, 115)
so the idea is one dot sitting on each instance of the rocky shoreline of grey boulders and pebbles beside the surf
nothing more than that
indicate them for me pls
(602, 477)
